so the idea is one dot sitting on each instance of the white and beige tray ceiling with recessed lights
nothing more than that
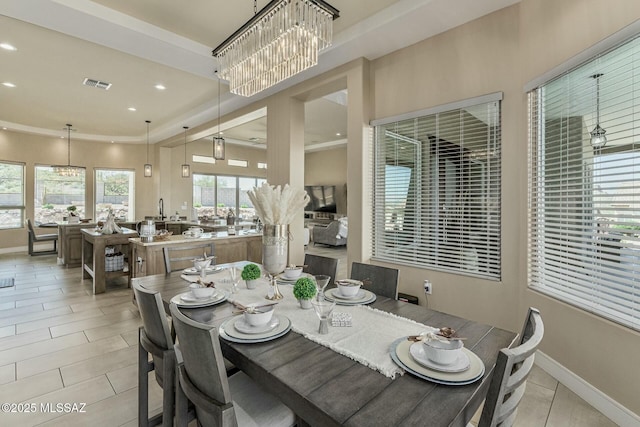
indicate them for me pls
(137, 44)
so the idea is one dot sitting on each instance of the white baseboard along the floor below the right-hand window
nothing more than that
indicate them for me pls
(594, 397)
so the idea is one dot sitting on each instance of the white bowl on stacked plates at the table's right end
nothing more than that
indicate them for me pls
(438, 356)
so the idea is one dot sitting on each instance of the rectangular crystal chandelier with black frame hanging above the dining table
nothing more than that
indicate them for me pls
(281, 40)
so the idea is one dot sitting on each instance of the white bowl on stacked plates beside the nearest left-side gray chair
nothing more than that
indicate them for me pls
(255, 323)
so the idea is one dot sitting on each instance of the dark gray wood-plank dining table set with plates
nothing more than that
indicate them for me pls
(326, 387)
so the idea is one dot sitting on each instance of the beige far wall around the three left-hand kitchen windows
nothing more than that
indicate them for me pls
(37, 150)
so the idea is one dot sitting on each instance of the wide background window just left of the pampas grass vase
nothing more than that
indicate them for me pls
(214, 196)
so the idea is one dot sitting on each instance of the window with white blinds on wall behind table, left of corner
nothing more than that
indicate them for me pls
(437, 188)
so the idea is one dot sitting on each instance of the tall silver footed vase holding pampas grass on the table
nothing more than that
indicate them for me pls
(275, 253)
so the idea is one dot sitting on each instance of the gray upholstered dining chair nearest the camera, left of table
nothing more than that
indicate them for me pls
(202, 380)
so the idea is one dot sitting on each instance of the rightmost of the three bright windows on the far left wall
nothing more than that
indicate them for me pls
(114, 192)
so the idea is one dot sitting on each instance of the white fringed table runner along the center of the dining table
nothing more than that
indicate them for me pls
(366, 342)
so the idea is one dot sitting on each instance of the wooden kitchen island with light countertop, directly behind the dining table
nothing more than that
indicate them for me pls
(148, 259)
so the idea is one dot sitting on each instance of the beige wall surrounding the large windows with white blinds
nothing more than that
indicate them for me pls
(501, 52)
